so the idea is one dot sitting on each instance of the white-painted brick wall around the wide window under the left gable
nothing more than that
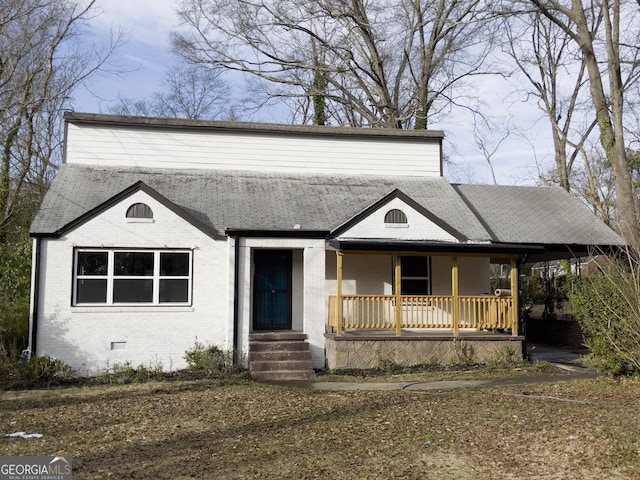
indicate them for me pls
(83, 336)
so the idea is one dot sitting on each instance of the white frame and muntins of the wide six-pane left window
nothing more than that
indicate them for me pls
(110, 277)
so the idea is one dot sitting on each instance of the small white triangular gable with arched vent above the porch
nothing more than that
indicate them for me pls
(418, 227)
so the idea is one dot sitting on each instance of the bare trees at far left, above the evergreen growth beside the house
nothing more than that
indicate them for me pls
(42, 60)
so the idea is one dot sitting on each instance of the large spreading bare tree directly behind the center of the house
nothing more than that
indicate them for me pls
(383, 63)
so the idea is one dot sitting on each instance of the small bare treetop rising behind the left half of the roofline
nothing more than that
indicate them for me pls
(190, 91)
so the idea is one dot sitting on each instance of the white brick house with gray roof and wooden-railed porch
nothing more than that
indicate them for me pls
(346, 246)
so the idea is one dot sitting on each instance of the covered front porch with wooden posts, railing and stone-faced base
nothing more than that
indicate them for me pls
(460, 322)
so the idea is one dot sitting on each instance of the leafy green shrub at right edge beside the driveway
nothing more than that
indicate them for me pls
(607, 306)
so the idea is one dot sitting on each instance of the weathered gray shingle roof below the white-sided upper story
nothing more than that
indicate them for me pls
(274, 201)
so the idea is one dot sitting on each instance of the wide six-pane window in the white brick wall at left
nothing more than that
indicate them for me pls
(122, 277)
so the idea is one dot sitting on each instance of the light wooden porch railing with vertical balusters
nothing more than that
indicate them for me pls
(434, 311)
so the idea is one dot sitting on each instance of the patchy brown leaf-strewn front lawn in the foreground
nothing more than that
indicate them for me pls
(587, 429)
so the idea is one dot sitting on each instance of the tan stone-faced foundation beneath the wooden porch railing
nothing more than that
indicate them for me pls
(370, 349)
